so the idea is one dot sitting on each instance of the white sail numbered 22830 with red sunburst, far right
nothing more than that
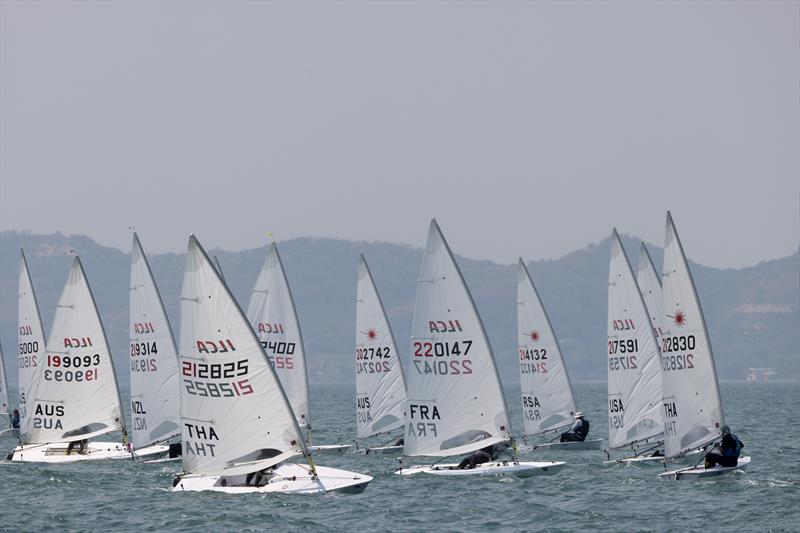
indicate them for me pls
(692, 405)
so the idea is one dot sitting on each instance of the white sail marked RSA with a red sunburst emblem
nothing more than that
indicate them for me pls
(547, 399)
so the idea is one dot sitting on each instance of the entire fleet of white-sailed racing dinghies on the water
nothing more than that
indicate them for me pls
(231, 399)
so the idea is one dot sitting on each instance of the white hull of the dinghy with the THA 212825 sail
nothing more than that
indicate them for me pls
(285, 478)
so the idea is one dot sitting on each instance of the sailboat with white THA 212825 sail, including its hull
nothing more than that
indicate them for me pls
(238, 426)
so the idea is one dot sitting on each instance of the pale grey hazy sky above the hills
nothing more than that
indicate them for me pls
(526, 128)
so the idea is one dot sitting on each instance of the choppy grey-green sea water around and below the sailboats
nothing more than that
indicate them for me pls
(586, 495)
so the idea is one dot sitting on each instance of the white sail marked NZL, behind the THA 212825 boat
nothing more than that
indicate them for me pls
(153, 359)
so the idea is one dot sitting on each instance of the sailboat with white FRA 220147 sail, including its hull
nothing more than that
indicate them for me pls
(455, 400)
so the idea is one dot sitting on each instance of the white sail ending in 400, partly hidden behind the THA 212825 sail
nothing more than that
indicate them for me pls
(272, 313)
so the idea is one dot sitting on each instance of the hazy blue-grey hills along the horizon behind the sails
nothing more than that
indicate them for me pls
(753, 313)
